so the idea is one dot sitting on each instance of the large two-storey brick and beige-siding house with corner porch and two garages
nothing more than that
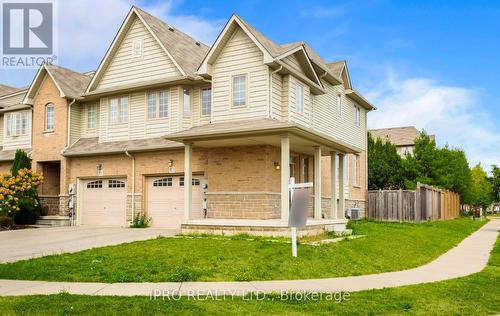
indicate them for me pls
(235, 121)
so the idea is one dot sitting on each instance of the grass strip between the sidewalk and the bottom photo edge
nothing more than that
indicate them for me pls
(473, 295)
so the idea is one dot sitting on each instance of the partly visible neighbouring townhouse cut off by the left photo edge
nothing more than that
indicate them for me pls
(15, 126)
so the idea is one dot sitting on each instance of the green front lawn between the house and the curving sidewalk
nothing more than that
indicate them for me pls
(386, 247)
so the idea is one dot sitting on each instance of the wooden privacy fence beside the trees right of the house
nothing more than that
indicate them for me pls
(424, 203)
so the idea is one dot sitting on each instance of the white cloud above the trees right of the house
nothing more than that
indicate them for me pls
(452, 113)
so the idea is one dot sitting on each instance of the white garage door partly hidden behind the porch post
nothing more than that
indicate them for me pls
(165, 197)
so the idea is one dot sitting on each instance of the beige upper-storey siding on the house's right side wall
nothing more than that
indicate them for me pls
(327, 121)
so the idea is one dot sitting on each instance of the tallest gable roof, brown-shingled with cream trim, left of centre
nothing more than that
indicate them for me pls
(185, 52)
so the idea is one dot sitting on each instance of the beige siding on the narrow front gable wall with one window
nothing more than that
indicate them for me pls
(240, 56)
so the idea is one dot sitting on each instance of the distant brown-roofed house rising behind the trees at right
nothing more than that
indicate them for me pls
(402, 137)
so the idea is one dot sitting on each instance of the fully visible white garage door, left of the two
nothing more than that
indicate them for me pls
(104, 202)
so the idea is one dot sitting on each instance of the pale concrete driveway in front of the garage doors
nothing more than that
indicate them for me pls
(38, 242)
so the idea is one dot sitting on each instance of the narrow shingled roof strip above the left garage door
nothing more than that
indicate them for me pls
(92, 146)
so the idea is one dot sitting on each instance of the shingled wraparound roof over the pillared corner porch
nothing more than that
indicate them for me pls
(257, 131)
